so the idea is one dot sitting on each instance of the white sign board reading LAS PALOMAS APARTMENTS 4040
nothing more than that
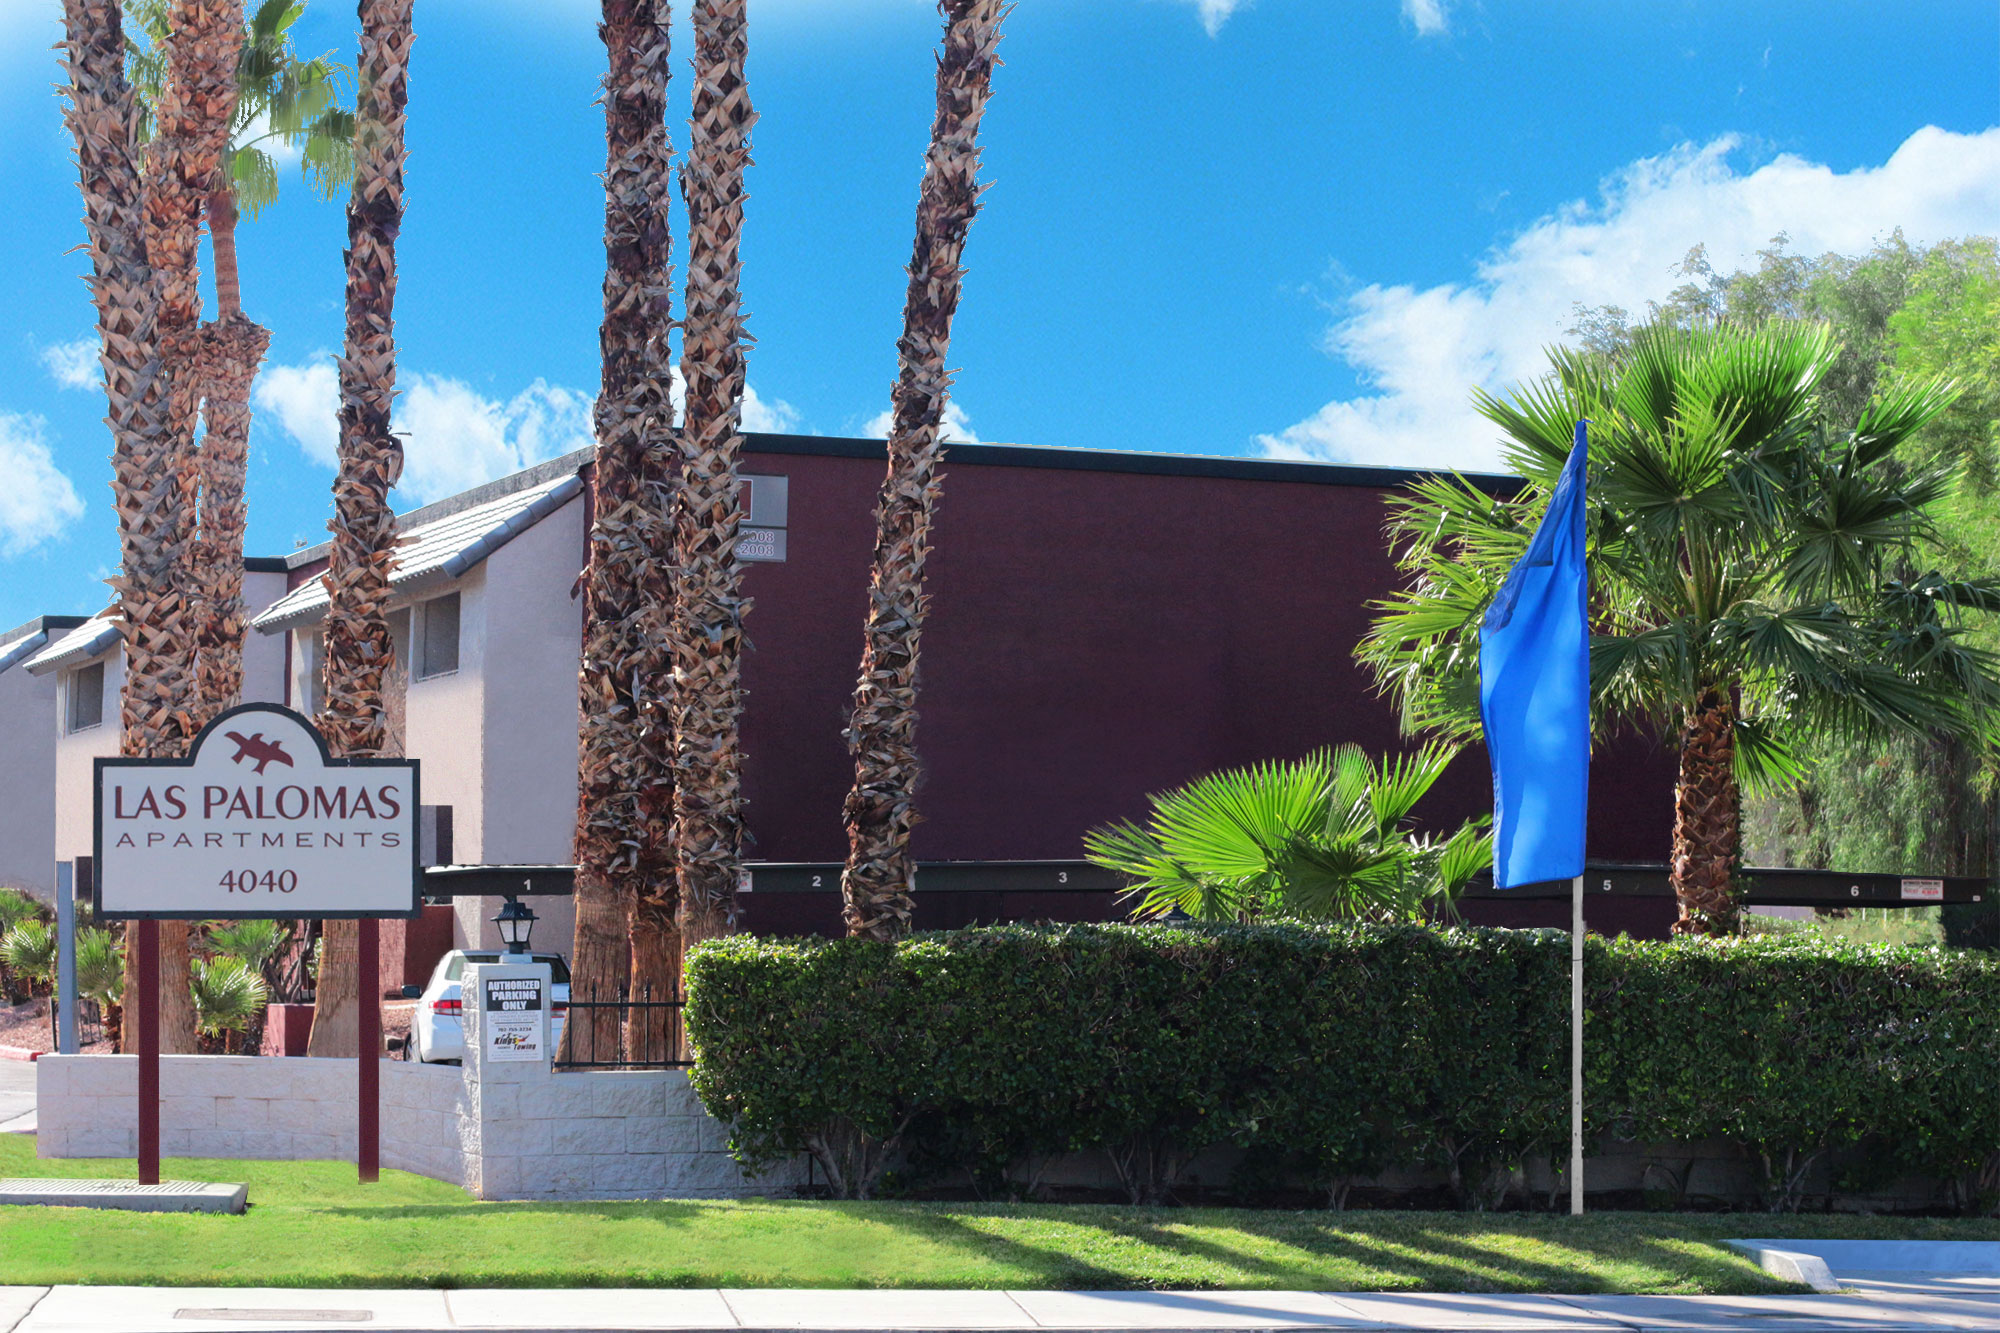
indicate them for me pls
(259, 822)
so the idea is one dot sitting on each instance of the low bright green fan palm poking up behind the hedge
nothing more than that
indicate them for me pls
(1319, 840)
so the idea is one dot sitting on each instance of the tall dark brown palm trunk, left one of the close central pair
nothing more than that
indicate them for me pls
(625, 764)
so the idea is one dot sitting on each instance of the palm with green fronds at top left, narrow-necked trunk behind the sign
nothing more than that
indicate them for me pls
(279, 101)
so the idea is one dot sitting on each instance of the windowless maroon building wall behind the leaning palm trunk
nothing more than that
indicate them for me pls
(1095, 635)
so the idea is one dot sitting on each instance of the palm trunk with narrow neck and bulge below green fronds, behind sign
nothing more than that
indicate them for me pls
(233, 349)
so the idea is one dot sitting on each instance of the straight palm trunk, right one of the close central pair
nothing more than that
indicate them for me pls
(709, 605)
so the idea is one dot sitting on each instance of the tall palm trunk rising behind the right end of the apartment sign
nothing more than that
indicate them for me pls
(359, 651)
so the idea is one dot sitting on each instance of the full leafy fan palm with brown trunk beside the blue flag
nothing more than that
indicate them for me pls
(1755, 573)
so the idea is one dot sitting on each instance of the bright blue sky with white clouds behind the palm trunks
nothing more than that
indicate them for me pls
(1231, 227)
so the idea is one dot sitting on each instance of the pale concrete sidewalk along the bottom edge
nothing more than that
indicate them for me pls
(1891, 1304)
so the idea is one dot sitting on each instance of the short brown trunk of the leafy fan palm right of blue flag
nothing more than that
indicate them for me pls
(1707, 820)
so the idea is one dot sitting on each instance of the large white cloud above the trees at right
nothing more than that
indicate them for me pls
(1421, 351)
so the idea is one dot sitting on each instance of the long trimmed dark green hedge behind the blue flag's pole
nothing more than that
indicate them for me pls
(1335, 1052)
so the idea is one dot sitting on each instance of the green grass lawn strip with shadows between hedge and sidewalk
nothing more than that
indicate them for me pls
(311, 1226)
